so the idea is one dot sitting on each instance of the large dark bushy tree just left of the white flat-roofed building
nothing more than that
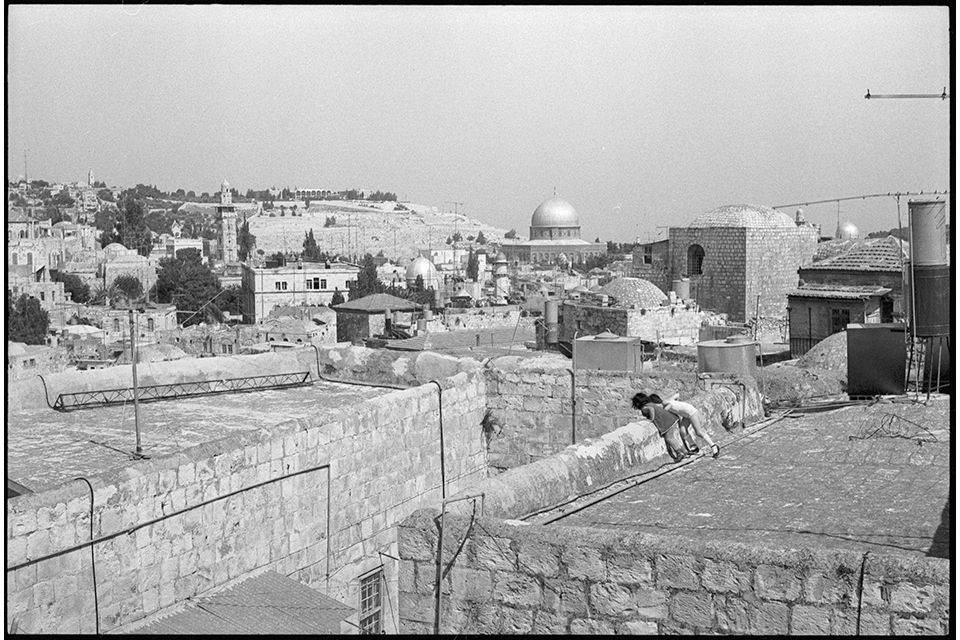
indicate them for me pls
(185, 281)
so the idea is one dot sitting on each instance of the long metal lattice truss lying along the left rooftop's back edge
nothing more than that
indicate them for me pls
(150, 393)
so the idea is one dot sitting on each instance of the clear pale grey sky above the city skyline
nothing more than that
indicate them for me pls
(640, 117)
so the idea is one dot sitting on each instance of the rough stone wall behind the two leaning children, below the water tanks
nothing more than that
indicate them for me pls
(532, 405)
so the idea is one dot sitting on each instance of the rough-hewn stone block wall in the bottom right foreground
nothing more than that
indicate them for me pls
(510, 578)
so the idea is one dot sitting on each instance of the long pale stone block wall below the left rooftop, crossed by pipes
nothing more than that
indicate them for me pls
(170, 528)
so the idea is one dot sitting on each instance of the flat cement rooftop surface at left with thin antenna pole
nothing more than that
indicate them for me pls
(46, 448)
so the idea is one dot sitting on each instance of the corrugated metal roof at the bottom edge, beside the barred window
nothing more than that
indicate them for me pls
(265, 604)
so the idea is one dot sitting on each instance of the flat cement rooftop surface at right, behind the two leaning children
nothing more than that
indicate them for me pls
(859, 478)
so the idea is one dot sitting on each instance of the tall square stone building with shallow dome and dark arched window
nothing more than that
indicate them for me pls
(737, 254)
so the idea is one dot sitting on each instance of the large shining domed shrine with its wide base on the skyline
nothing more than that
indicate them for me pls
(554, 233)
